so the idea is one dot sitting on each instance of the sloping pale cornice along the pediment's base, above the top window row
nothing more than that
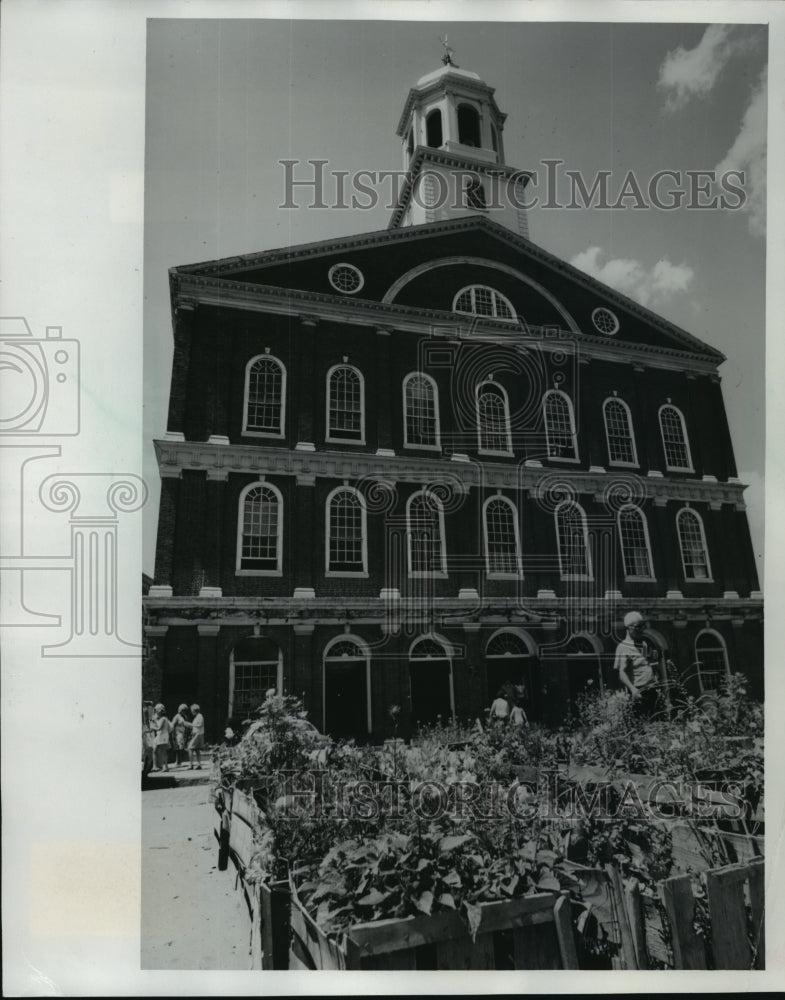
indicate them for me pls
(222, 293)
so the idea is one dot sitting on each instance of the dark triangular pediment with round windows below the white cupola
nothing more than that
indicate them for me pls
(424, 267)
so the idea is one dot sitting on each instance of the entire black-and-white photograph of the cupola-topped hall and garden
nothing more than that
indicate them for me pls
(459, 542)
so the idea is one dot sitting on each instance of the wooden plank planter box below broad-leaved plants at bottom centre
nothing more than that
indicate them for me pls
(534, 932)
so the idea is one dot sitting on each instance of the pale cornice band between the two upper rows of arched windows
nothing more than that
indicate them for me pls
(201, 456)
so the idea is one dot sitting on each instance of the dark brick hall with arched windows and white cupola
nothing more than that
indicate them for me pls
(403, 467)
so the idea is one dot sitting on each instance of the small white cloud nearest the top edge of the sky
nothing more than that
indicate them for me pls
(687, 73)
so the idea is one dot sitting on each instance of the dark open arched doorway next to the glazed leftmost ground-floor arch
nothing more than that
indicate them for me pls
(347, 688)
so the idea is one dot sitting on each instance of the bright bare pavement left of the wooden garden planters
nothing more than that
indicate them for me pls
(193, 916)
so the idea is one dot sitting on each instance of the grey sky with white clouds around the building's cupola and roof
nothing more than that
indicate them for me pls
(226, 100)
